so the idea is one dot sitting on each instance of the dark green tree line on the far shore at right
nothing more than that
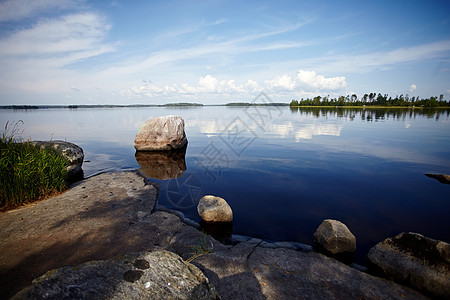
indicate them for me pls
(373, 99)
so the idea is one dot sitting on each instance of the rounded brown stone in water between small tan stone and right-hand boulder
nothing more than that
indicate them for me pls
(334, 237)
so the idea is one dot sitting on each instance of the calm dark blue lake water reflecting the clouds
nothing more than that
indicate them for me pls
(281, 170)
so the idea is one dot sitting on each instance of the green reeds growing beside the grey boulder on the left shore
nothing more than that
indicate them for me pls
(27, 172)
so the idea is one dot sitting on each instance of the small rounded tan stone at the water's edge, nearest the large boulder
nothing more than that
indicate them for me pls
(214, 209)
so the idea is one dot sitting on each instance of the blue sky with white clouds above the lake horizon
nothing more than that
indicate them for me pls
(155, 52)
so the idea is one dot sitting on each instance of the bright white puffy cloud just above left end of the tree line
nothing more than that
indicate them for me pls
(310, 80)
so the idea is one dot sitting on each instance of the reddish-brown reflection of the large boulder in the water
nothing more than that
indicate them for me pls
(162, 164)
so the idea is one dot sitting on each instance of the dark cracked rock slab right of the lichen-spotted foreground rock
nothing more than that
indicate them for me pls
(250, 271)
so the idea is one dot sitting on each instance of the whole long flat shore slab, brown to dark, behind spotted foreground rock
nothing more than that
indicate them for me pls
(113, 214)
